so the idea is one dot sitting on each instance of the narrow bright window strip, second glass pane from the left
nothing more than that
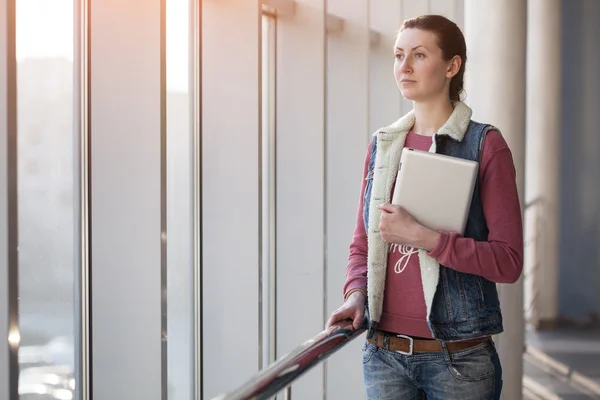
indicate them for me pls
(179, 205)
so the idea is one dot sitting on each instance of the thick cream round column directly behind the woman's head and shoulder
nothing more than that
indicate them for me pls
(495, 86)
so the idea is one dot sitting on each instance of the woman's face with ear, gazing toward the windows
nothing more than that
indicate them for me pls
(420, 71)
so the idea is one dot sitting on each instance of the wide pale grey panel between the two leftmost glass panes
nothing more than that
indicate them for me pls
(128, 229)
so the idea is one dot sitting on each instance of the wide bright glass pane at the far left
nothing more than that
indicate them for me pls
(45, 188)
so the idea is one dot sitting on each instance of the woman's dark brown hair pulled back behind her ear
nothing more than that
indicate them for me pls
(450, 40)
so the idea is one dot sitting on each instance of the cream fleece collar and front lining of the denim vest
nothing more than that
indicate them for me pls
(390, 142)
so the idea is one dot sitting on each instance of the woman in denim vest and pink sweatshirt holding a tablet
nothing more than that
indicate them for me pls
(432, 311)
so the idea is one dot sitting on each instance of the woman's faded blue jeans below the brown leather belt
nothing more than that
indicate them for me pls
(471, 374)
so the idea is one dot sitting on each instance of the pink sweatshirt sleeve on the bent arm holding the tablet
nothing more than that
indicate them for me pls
(500, 258)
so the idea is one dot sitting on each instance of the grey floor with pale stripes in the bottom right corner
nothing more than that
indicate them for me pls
(562, 364)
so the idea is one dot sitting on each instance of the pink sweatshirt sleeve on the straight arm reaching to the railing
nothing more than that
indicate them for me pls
(356, 269)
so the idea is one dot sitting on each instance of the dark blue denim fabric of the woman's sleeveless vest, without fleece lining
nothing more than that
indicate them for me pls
(465, 306)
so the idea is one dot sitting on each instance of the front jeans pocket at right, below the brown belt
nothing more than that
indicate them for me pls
(474, 364)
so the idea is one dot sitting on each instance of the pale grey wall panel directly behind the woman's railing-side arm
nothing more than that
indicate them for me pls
(347, 129)
